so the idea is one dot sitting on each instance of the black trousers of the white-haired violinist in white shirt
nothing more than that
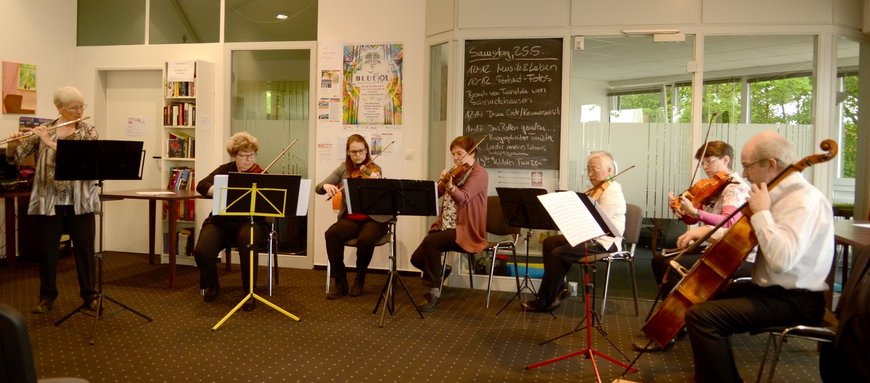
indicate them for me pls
(559, 255)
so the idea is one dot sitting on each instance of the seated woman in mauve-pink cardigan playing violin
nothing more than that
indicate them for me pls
(461, 226)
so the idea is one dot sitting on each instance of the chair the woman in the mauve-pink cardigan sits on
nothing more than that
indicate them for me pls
(497, 226)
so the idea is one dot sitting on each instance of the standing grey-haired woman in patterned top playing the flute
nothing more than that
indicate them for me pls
(58, 205)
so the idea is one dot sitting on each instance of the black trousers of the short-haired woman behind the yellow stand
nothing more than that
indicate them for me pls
(218, 233)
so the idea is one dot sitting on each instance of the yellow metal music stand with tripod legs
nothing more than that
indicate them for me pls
(252, 194)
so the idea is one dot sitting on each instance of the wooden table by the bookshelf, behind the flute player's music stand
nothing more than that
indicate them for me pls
(152, 198)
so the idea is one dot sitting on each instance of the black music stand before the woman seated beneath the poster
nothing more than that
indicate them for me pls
(391, 197)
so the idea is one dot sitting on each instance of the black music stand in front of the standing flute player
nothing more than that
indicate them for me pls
(99, 160)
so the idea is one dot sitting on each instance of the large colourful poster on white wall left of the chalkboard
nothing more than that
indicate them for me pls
(372, 91)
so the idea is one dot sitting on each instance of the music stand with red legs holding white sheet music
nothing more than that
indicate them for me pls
(571, 215)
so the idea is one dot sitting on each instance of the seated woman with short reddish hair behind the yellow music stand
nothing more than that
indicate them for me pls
(219, 232)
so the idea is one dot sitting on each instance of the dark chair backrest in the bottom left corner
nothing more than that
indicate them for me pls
(16, 356)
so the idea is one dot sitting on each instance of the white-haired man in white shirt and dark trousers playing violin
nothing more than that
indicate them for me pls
(559, 255)
